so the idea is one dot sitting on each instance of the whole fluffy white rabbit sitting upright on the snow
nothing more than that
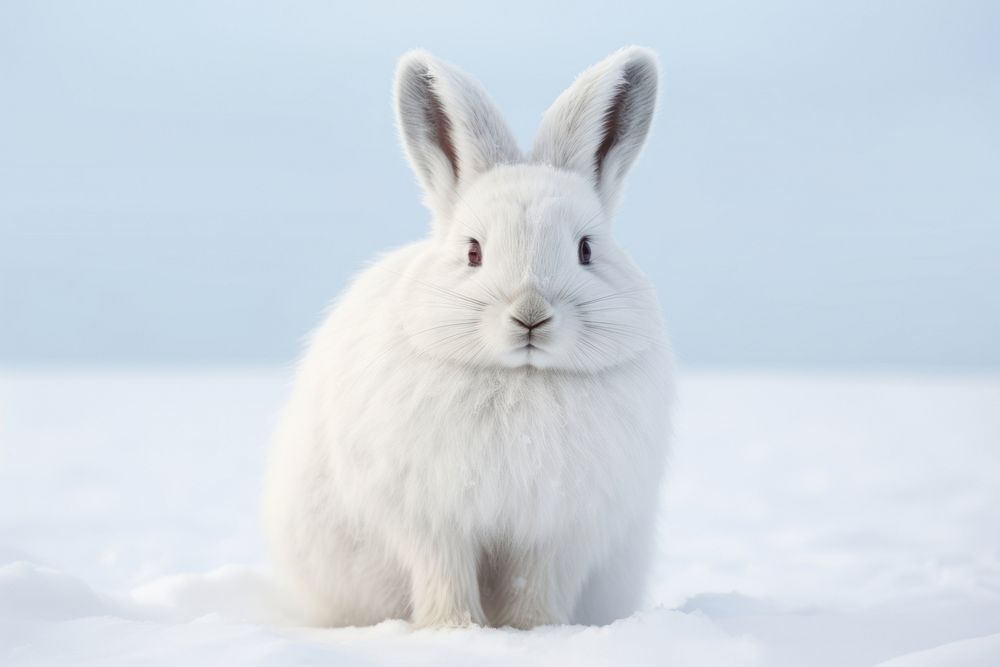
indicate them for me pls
(478, 430)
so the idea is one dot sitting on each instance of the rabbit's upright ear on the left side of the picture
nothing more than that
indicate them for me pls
(451, 130)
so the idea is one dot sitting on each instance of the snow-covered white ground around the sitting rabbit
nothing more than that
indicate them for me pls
(808, 520)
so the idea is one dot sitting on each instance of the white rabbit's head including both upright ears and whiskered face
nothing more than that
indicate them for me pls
(521, 269)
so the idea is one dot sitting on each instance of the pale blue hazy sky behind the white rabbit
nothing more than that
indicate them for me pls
(191, 183)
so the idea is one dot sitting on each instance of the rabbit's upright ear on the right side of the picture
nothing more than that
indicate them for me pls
(598, 126)
